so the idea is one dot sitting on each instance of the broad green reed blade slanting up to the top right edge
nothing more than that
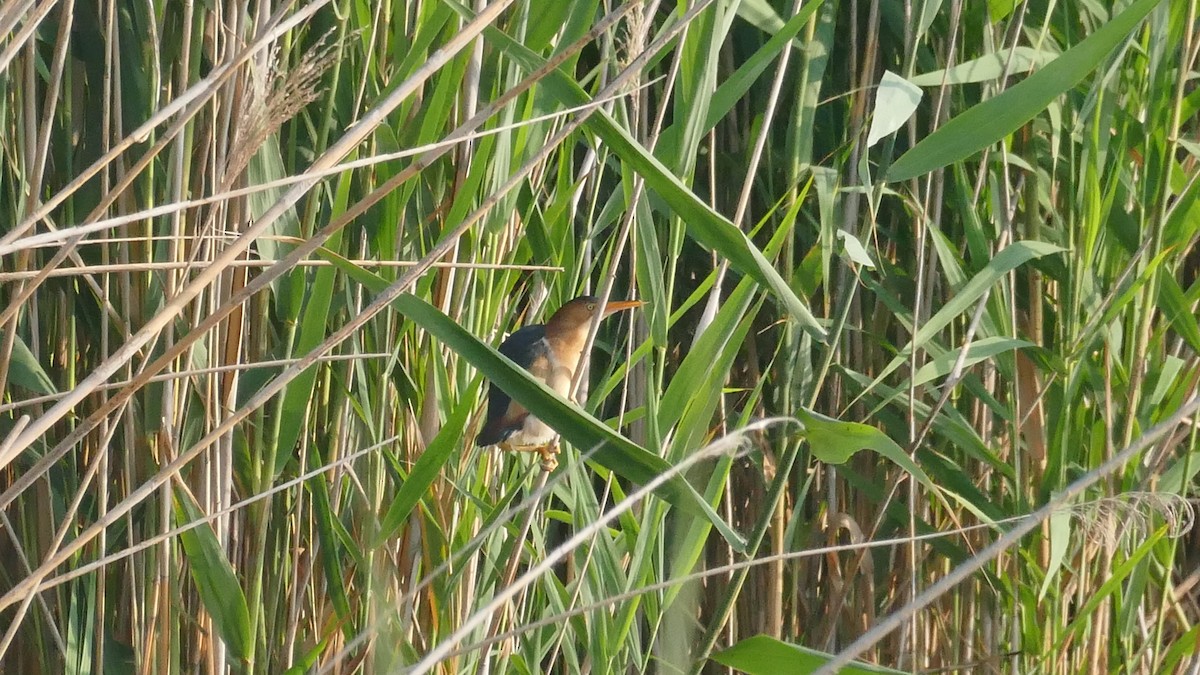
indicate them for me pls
(997, 118)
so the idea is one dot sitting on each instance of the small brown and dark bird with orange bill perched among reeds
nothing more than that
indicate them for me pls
(551, 353)
